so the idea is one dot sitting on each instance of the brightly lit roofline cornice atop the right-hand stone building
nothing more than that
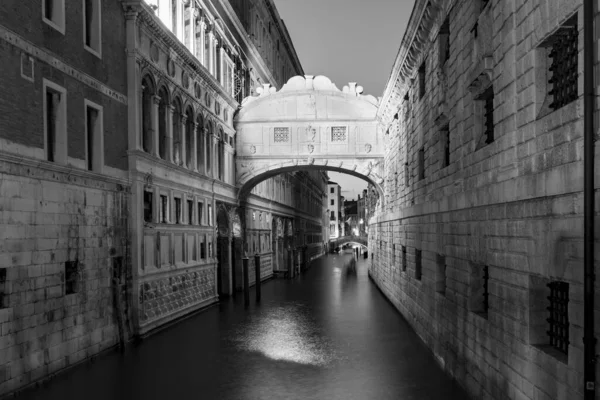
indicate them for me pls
(417, 36)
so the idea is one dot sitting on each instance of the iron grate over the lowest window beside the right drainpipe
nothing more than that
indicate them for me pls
(558, 321)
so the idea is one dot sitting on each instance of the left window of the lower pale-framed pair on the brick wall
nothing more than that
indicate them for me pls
(55, 122)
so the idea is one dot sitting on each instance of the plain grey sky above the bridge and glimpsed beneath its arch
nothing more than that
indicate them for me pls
(347, 41)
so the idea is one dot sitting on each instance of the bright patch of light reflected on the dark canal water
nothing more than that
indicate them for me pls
(286, 334)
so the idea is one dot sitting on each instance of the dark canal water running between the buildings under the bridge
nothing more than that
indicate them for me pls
(329, 334)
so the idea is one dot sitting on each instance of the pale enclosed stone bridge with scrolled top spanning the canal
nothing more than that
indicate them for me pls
(308, 124)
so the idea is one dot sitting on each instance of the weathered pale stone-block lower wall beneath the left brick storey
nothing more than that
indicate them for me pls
(51, 217)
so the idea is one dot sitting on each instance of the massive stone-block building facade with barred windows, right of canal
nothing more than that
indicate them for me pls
(479, 235)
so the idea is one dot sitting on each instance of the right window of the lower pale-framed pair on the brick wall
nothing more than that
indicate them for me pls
(94, 137)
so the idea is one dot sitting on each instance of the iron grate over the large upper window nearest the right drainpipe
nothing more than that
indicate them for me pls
(563, 66)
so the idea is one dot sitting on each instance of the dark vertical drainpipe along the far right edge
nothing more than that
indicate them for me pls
(589, 341)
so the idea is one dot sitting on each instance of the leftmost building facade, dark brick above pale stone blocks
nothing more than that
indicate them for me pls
(64, 192)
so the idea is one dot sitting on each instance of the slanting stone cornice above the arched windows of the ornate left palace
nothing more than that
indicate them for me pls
(170, 41)
